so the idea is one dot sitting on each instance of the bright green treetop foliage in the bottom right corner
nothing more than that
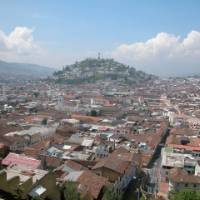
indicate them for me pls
(185, 194)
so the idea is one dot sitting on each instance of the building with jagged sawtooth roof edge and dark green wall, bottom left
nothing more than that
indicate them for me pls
(30, 182)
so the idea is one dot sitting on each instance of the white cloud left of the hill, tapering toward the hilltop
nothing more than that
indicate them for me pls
(20, 46)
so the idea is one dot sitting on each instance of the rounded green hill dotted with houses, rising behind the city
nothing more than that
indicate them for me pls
(92, 70)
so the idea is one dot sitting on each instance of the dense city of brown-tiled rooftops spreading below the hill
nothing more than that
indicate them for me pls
(112, 141)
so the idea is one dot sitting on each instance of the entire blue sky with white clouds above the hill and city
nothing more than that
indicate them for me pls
(156, 36)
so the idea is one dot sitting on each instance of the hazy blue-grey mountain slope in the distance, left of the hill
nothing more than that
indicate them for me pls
(23, 71)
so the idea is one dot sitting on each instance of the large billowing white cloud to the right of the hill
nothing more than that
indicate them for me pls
(164, 54)
